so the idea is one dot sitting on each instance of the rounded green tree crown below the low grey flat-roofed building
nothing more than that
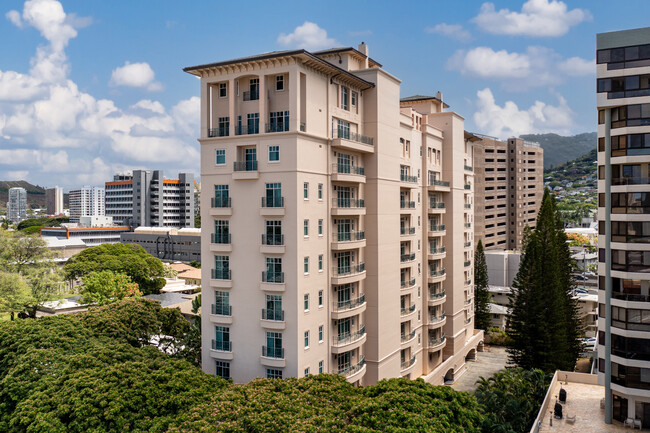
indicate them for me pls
(144, 269)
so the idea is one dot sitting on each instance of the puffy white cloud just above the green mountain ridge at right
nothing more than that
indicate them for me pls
(509, 120)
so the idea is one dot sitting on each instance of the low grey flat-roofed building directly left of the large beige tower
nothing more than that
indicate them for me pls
(167, 243)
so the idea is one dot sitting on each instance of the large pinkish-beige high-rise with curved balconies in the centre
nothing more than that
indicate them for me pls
(336, 222)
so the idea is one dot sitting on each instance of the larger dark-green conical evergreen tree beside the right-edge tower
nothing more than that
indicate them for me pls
(544, 323)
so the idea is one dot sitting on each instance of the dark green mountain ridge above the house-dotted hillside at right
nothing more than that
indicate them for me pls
(560, 149)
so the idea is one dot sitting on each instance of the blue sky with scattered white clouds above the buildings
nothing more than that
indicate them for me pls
(88, 88)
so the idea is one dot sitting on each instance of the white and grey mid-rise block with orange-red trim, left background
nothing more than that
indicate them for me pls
(146, 198)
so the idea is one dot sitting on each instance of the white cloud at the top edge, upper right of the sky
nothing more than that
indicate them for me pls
(546, 18)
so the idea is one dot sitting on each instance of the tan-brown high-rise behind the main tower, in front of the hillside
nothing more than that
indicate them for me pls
(510, 179)
